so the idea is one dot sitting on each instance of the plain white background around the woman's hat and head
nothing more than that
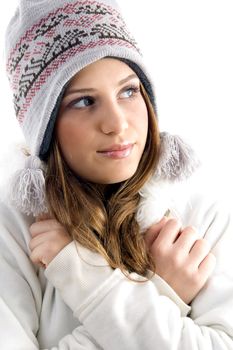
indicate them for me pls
(188, 48)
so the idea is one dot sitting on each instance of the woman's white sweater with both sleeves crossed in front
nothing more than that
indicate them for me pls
(78, 302)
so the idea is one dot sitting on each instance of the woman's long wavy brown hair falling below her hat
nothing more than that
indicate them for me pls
(105, 223)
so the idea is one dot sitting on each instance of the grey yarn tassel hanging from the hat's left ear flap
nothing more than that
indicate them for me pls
(27, 191)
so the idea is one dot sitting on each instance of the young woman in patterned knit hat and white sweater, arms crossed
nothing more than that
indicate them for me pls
(103, 245)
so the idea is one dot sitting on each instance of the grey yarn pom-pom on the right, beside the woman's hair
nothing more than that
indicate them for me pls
(177, 159)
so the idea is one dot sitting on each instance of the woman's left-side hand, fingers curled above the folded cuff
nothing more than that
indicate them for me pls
(49, 237)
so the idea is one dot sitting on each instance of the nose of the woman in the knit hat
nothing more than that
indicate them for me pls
(114, 119)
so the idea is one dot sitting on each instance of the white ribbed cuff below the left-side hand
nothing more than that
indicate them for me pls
(77, 272)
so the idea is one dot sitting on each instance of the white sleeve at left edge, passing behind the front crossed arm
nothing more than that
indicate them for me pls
(21, 294)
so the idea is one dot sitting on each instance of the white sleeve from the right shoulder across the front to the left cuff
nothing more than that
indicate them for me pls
(122, 314)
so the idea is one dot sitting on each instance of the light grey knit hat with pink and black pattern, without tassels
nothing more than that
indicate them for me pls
(48, 42)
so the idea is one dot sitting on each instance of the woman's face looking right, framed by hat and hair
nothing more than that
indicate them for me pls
(103, 122)
